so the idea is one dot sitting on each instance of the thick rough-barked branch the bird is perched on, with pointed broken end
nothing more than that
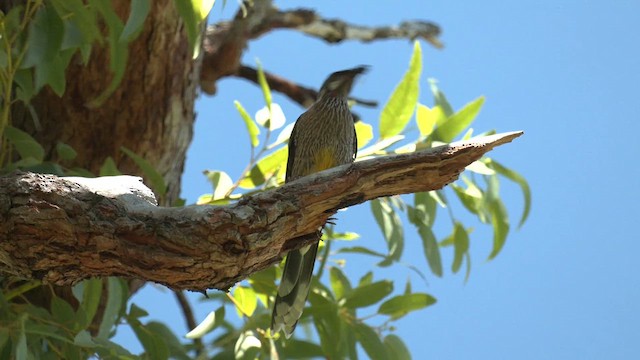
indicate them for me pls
(63, 231)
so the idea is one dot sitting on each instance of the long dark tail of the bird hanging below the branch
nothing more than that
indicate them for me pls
(294, 289)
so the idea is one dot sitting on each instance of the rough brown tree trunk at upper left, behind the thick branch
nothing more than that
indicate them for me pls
(151, 113)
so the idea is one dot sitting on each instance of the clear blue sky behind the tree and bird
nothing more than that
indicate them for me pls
(567, 73)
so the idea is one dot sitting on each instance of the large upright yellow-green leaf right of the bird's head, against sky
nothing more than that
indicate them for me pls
(398, 110)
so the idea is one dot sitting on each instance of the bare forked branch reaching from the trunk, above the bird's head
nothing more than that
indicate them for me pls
(225, 42)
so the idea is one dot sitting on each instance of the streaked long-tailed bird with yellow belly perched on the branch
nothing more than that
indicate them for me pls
(323, 137)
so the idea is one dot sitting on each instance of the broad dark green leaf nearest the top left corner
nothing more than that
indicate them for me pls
(46, 32)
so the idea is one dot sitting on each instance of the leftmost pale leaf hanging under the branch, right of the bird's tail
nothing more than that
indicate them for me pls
(391, 226)
